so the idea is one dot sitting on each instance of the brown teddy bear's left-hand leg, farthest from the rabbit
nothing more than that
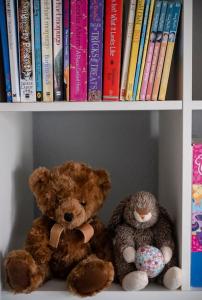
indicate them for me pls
(22, 272)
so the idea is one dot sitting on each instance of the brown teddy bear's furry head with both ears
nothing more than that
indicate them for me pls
(70, 194)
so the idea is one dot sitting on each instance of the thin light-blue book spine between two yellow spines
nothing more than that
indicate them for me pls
(142, 41)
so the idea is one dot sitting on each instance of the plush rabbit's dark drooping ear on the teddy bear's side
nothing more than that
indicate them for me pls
(117, 215)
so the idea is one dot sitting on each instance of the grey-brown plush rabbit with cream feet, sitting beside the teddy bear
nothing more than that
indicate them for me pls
(138, 222)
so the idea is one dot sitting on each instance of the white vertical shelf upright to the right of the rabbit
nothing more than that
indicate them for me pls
(186, 141)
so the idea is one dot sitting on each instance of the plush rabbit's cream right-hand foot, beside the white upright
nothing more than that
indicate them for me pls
(173, 278)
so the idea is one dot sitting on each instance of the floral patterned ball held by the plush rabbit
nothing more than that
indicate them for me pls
(149, 259)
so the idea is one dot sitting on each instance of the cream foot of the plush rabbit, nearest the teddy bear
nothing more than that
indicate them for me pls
(135, 281)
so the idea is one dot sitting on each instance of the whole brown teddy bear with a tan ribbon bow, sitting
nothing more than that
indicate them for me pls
(68, 240)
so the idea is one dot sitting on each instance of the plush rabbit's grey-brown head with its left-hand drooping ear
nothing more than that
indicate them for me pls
(140, 210)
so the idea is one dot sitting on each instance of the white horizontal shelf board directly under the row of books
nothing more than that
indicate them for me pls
(92, 106)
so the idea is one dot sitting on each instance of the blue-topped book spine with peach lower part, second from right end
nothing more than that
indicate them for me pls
(162, 53)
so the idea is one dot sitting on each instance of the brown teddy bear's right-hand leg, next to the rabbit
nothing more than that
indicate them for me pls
(90, 276)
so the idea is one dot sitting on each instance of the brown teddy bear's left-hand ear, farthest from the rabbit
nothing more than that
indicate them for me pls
(38, 179)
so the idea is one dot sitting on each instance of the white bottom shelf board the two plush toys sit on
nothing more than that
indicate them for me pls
(56, 290)
